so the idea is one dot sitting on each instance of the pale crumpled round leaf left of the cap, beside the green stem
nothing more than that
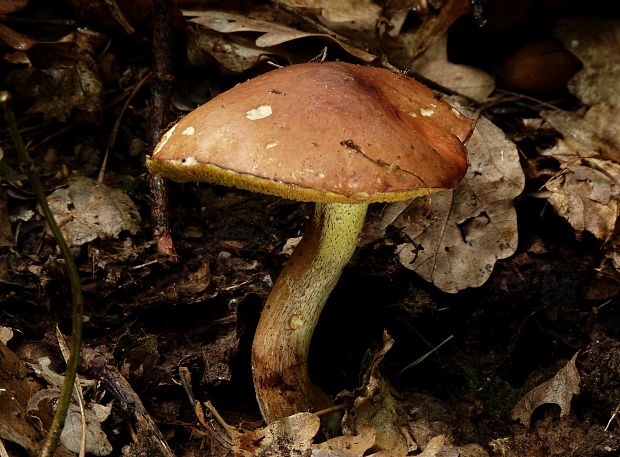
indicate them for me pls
(86, 209)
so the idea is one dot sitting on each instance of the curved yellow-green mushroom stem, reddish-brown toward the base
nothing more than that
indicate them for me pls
(282, 340)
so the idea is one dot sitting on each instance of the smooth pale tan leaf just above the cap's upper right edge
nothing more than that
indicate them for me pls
(462, 79)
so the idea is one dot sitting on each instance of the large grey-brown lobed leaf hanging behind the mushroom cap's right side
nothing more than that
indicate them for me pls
(458, 235)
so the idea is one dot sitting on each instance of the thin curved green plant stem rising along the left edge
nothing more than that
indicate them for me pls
(32, 171)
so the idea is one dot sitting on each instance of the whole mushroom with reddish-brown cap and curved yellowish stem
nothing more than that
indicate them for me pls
(333, 133)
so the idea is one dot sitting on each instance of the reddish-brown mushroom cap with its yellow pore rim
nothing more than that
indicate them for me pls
(328, 132)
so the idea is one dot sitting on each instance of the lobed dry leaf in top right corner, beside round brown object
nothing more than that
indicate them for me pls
(595, 42)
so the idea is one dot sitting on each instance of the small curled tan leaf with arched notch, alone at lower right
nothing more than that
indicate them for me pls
(558, 390)
